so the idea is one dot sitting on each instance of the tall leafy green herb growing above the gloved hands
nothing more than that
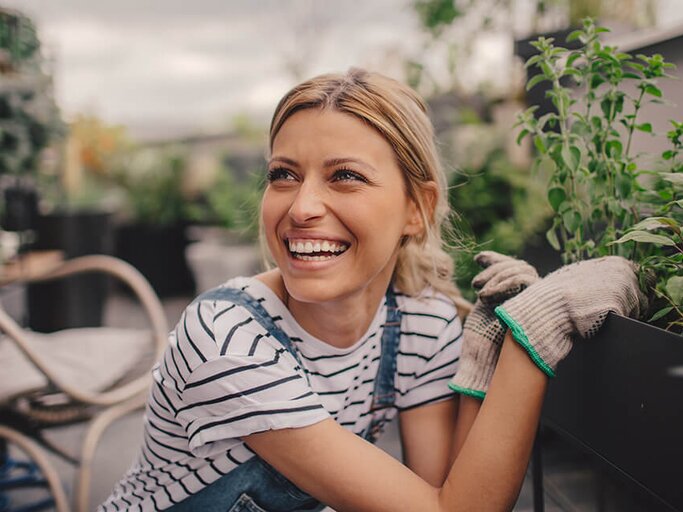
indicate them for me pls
(598, 189)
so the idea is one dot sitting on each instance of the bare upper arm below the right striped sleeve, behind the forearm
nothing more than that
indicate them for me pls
(427, 439)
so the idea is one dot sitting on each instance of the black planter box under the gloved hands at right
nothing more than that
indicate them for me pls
(619, 399)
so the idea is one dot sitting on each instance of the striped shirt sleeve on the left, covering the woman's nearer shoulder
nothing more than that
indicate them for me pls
(250, 383)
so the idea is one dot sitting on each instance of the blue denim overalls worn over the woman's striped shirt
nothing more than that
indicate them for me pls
(255, 486)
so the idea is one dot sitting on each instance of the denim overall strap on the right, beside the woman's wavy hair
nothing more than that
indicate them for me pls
(384, 394)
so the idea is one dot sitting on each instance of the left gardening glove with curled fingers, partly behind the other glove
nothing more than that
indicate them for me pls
(483, 334)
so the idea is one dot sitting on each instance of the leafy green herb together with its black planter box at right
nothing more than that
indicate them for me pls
(618, 395)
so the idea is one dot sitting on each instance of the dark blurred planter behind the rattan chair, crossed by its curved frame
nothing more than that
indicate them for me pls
(76, 301)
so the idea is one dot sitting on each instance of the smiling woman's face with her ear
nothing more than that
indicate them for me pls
(335, 207)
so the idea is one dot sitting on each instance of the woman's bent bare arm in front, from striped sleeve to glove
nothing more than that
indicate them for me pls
(348, 473)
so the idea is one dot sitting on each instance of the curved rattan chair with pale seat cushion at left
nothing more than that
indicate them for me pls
(93, 375)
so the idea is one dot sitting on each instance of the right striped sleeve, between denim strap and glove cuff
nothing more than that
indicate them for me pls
(426, 380)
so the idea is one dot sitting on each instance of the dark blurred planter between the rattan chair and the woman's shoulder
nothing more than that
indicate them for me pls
(158, 252)
